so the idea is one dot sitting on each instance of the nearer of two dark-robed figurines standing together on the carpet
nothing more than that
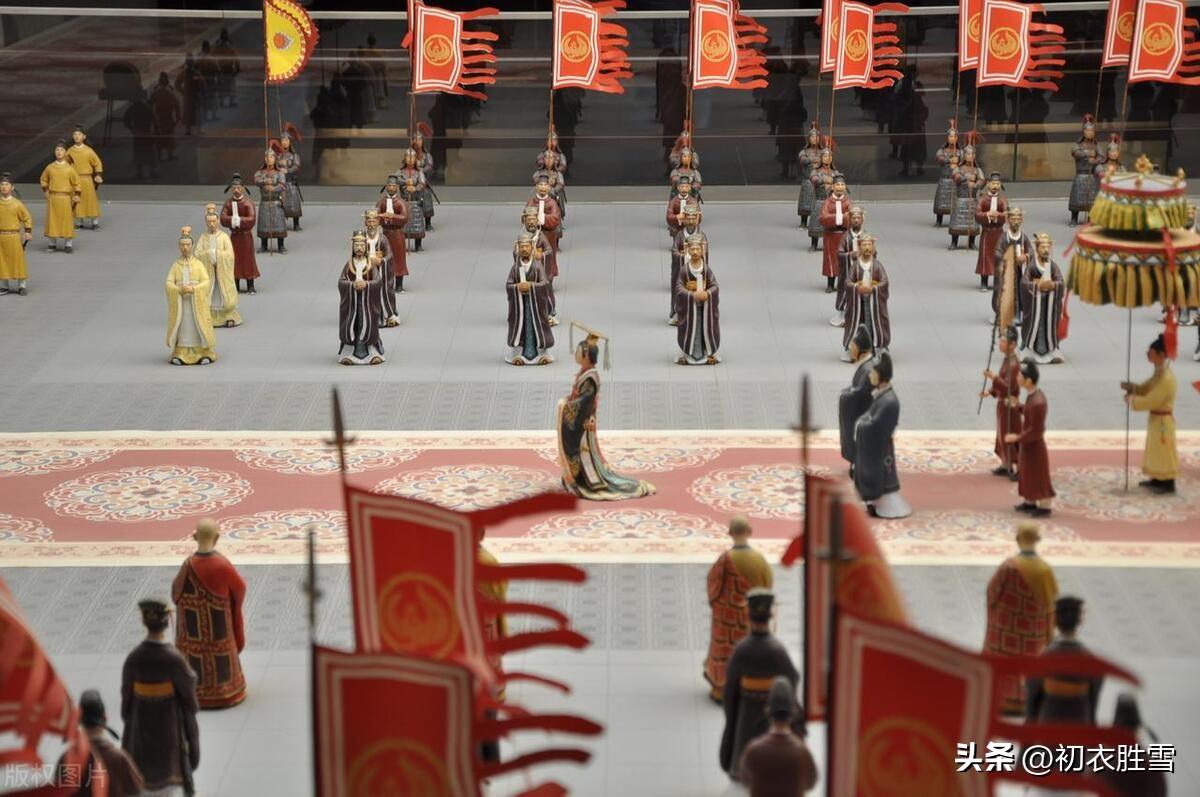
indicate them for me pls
(875, 458)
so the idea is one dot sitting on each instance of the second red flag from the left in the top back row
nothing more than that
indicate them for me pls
(589, 52)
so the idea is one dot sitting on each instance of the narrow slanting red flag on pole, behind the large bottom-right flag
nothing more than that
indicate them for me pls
(865, 584)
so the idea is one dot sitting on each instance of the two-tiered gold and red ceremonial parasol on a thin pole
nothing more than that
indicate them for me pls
(1137, 251)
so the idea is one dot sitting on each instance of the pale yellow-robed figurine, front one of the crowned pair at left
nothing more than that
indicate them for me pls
(190, 335)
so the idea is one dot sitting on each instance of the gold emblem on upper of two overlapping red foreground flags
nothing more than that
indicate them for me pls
(417, 616)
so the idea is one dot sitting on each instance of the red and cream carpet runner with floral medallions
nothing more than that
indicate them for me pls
(135, 498)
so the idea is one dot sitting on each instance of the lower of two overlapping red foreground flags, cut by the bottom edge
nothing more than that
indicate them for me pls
(388, 724)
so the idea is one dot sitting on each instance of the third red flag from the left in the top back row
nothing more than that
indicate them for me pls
(721, 55)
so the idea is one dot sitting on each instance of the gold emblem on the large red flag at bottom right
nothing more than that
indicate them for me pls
(901, 756)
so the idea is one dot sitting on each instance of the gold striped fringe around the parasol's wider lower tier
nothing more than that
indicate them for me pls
(1101, 281)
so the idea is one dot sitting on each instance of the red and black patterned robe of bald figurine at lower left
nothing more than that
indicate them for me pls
(209, 595)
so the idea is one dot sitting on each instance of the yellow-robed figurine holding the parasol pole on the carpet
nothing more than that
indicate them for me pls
(1156, 395)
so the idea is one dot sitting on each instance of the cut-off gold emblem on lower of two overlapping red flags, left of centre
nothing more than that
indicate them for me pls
(398, 766)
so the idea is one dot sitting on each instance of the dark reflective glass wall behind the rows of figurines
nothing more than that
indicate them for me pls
(172, 101)
